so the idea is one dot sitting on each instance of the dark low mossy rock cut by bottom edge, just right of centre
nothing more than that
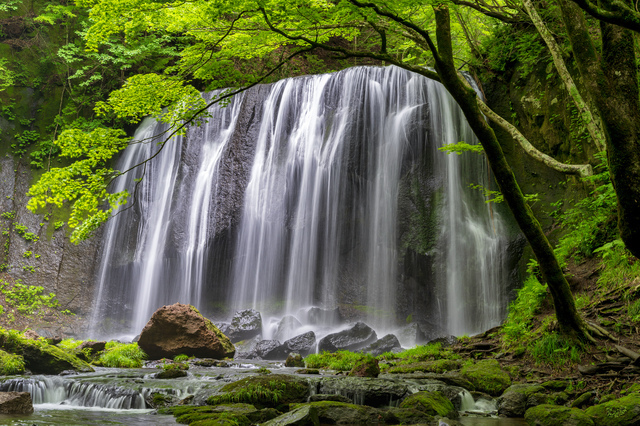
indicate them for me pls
(332, 412)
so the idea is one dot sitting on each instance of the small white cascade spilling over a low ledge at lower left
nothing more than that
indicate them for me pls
(56, 390)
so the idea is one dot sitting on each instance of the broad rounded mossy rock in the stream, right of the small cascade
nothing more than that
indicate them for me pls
(272, 390)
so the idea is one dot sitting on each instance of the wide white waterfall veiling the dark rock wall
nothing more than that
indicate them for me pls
(313, 191)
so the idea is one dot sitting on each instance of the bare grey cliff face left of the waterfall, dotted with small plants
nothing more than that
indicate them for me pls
(36, 253)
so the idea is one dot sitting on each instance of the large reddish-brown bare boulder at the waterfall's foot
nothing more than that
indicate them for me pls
(180, 329)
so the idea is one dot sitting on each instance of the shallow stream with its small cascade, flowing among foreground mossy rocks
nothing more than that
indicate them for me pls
(112, 396)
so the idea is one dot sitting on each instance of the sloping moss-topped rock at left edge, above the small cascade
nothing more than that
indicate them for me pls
(41, 357)
